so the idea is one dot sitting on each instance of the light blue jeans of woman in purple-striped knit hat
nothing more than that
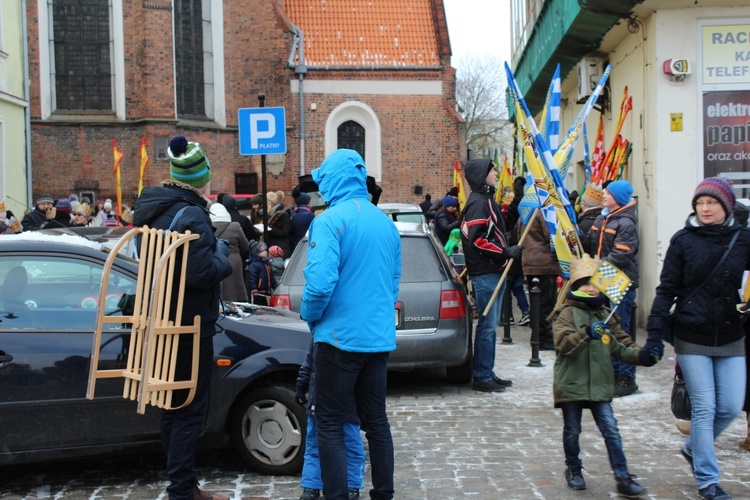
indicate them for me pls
(717, 390)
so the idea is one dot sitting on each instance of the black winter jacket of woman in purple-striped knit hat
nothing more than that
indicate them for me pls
(711, 318)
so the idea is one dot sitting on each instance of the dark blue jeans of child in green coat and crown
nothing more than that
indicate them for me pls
(607, 423)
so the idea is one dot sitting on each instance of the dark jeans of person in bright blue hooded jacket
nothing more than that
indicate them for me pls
(337, 374)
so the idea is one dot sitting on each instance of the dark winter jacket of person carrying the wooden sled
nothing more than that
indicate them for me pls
(156, 207)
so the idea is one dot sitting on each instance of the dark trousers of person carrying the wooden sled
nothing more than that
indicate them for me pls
(181, 429)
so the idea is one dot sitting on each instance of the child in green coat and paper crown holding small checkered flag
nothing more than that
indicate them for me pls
(585, 343)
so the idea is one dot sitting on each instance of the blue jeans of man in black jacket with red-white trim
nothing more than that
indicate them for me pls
(485, 335)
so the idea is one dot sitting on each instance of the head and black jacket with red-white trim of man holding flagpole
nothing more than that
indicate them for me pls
(483, 230)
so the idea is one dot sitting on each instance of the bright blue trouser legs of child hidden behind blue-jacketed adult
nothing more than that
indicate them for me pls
(355, 457)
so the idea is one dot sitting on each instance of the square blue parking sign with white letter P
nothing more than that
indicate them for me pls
(262, 131)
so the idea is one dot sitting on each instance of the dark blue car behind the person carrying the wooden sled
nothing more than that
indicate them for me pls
(49, 294)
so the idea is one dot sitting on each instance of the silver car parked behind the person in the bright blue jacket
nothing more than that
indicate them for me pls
(433, 316)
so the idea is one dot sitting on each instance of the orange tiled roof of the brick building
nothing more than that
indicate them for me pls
(367, 33)
